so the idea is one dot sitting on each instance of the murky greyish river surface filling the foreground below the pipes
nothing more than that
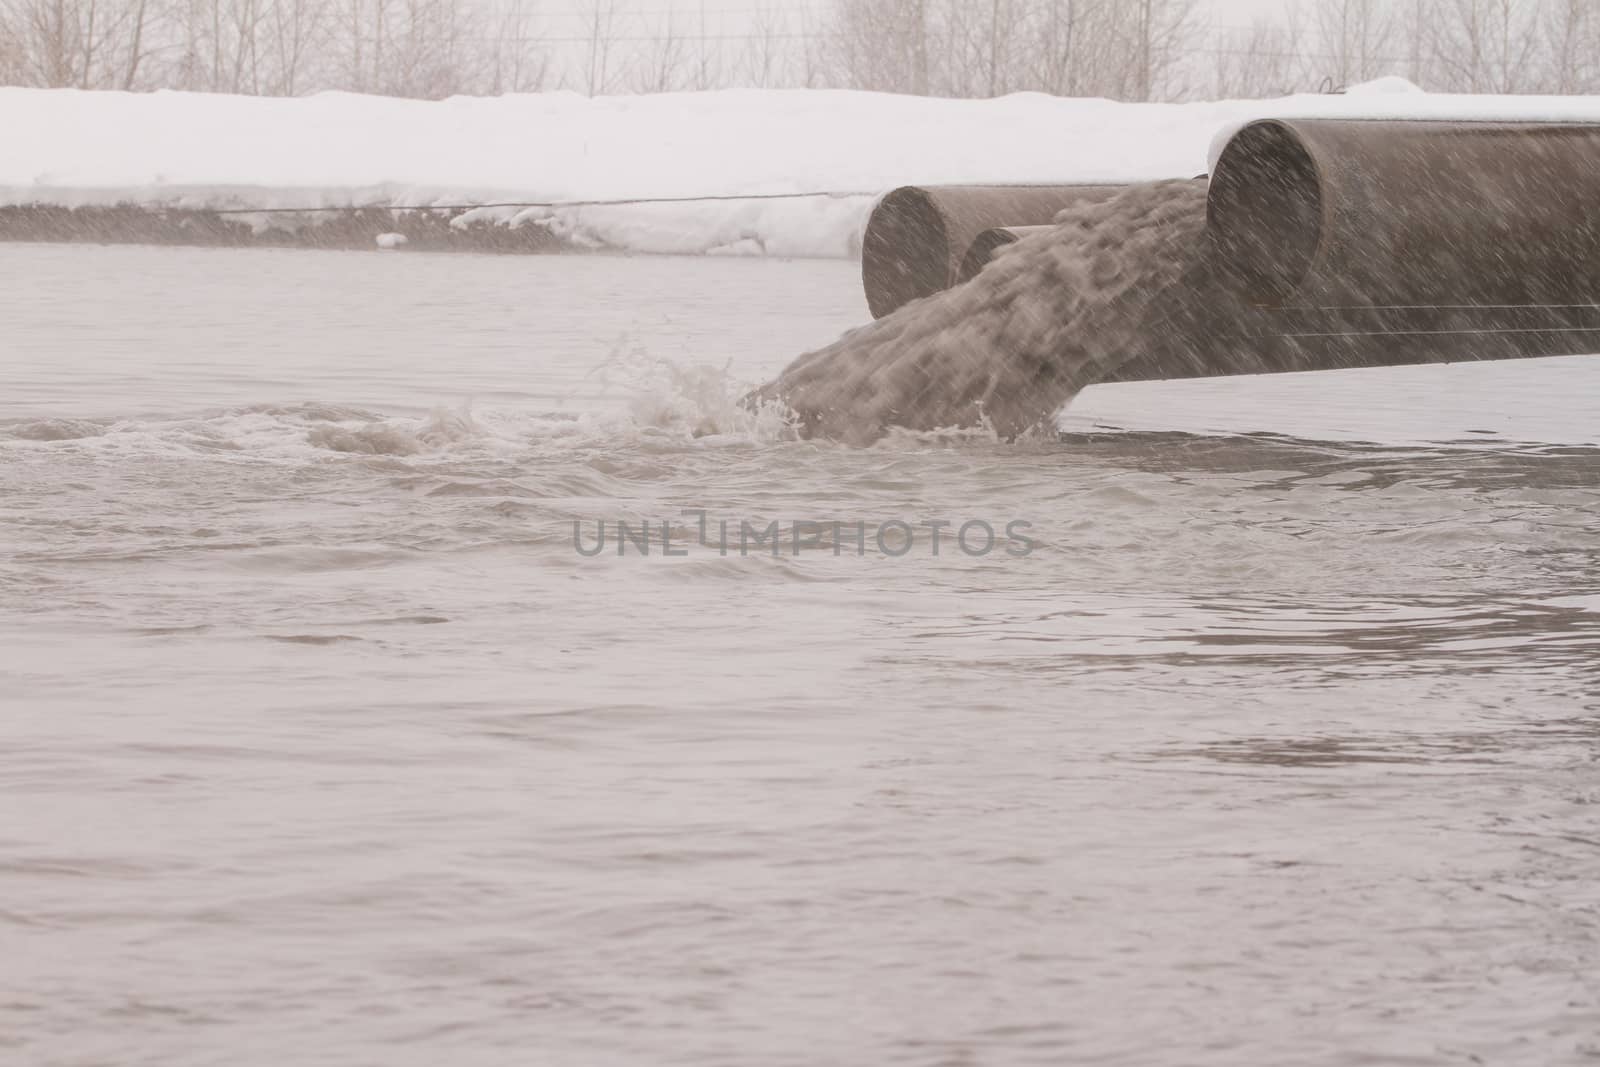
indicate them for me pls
(1270, 740)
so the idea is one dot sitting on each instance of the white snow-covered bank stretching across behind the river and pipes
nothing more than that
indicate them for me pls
(746, 146)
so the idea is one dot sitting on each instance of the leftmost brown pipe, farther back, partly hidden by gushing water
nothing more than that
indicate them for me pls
(918, 236)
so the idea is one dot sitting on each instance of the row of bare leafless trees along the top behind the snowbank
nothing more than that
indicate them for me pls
(1119, 49)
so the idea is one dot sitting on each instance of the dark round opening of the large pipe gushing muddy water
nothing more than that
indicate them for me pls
(1265, 210)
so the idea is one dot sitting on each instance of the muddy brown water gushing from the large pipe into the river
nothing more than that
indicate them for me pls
(1052, 314)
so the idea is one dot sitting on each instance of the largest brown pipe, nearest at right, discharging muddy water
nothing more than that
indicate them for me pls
(1335, 214)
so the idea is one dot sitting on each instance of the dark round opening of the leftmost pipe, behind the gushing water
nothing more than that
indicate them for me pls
(905, 254)
